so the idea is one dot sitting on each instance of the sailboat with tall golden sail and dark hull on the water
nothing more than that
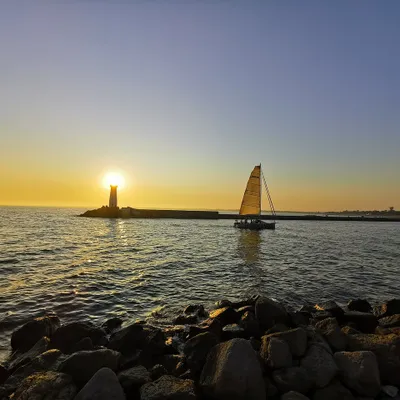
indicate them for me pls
(250, 208)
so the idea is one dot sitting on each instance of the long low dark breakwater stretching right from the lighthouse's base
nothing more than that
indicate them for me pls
(128, 212)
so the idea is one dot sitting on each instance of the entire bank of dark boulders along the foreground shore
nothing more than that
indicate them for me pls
(253, 349)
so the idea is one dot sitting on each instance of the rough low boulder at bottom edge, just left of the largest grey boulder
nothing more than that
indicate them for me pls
(168, 388)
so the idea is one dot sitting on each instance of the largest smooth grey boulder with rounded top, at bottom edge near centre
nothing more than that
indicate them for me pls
(233, 371)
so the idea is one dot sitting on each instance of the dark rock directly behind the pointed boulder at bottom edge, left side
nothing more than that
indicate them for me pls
(84, 364)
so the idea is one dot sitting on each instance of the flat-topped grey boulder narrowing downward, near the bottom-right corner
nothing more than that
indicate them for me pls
(359, 371)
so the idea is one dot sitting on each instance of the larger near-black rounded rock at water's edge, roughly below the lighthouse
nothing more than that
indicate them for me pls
(128, 339)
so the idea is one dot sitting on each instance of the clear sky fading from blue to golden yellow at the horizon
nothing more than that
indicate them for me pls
(185, 97)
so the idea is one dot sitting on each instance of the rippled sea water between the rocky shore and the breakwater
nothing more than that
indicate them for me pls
(53, 261)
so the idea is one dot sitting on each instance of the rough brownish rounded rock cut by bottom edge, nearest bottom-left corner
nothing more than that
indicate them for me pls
(46, 385)
